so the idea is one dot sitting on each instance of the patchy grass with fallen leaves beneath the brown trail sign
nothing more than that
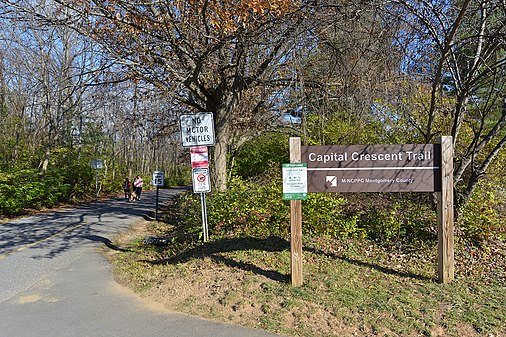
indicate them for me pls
(351, 287)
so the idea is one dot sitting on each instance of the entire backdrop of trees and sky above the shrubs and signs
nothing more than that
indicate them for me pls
(110, 78)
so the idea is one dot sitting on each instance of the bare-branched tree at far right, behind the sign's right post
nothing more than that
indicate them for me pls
(463, 55)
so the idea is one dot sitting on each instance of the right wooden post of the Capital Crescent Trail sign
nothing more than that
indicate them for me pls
(446, 263)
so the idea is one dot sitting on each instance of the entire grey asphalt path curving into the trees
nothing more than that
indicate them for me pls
(54, 282)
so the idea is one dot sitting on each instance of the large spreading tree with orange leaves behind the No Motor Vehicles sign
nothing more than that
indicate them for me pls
(209, 55)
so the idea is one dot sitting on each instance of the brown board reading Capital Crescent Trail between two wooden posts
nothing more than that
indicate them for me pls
(373, 168)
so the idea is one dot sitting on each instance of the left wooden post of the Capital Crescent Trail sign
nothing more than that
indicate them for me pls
(296, 221)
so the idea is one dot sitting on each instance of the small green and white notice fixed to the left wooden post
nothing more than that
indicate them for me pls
(294, 181)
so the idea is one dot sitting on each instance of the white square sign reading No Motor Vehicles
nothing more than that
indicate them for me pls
(197, 129)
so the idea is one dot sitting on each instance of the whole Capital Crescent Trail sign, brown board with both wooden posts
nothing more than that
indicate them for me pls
(379, 168)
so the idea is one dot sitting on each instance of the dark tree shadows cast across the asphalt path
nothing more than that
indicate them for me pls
(55, 232)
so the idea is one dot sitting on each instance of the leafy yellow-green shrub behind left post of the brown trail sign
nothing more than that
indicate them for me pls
(257, 208)
